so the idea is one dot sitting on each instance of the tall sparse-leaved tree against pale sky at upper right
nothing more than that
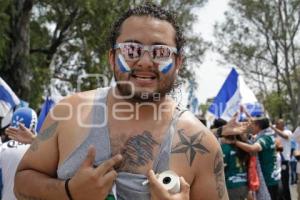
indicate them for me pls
(262, 39)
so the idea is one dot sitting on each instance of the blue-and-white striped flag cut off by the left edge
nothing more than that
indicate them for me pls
(8, 99)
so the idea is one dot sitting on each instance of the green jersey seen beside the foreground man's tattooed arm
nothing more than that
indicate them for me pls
(235, 171)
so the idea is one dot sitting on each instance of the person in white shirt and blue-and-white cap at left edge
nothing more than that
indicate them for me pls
(23, 122)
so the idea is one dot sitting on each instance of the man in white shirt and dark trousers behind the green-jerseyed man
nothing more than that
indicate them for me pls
(285, 137)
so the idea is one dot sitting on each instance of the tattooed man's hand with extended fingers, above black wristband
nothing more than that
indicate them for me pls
(94, 183)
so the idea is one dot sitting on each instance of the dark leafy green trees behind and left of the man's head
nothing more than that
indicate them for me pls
(68, 39)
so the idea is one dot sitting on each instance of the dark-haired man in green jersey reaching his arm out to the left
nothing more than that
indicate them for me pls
(264, 146)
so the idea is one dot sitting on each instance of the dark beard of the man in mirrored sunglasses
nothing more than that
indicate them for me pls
(127, 90)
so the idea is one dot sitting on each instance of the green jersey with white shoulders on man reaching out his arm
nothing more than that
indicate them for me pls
(267, 158)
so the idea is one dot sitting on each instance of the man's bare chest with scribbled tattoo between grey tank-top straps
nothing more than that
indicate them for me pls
(138, 146)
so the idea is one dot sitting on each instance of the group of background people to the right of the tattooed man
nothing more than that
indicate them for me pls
(260, 163)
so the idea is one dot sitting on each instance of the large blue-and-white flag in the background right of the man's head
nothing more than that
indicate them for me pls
(231, 96)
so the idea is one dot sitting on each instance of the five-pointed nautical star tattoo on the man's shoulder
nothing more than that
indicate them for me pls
(190, 145)
